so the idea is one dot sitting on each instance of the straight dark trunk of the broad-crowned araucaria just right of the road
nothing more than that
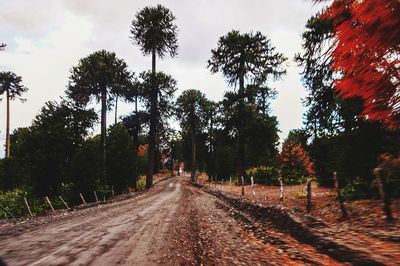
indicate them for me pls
(241, 151)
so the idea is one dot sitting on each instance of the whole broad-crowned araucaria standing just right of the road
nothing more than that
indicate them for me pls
(250, 60)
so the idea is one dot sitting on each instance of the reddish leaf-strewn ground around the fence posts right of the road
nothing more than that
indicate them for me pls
(365, 229)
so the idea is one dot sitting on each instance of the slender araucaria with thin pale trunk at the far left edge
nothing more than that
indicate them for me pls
(11, 85)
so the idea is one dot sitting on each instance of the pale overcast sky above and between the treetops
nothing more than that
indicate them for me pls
(45, 38)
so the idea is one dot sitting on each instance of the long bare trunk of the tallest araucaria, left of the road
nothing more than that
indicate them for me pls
(153, 127)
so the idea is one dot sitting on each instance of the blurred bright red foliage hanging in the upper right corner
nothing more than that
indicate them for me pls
(366, 55)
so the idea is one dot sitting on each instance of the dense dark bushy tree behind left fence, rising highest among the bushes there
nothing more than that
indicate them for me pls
(56, 133)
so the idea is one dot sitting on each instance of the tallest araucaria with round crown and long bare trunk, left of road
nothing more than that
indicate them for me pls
(153, 29)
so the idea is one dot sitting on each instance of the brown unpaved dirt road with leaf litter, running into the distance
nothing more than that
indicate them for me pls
(174, 223)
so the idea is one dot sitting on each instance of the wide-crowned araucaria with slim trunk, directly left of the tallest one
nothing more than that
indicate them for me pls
(100, 76)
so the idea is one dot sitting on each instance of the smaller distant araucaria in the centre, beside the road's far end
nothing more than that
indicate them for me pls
(190, 110)
